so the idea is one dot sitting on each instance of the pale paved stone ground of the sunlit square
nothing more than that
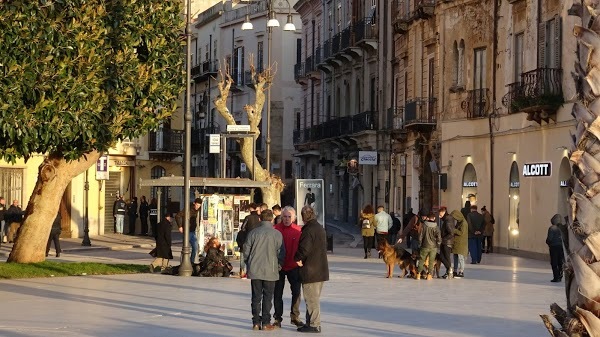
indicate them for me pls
(503, 296)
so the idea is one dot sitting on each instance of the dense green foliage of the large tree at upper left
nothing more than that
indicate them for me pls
(79, 75)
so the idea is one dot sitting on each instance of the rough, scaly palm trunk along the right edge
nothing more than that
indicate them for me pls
(581, 238)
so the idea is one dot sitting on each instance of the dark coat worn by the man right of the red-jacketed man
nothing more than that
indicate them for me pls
(312, 251)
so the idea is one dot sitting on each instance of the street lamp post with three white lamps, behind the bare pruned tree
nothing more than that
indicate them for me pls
(272, 22)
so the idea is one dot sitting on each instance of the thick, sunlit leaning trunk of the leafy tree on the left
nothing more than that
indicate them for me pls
(54, 175)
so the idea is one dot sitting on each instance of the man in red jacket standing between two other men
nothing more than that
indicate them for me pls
(291, 237)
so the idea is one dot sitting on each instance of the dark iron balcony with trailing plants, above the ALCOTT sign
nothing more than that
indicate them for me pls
(539, 94)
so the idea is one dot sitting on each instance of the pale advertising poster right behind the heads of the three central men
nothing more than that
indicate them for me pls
(310, 192)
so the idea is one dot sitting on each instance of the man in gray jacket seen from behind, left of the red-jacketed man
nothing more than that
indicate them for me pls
(264, 253)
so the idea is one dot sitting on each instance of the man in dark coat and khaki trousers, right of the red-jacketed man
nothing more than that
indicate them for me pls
(311, 257)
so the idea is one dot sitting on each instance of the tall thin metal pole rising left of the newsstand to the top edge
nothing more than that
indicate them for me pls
(185, 269)
